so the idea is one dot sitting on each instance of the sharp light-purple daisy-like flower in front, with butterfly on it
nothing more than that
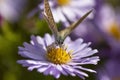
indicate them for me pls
(51, 59)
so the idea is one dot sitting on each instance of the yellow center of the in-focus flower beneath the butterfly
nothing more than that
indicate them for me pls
(58, 56)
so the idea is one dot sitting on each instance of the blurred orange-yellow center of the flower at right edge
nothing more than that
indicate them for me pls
(115, 31)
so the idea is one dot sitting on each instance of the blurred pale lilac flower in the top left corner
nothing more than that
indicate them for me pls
(11, 9)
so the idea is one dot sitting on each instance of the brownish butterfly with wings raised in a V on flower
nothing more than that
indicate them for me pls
(60, 35)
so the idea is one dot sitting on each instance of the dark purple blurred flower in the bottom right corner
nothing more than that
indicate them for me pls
(110, 71)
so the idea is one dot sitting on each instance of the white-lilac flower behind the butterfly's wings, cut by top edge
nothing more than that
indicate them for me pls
(69, 10)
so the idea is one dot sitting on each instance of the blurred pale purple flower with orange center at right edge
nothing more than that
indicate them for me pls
(107, 21)
